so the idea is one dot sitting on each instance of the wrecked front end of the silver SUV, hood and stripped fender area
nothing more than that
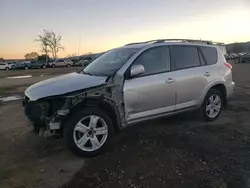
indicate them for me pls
(49, 103)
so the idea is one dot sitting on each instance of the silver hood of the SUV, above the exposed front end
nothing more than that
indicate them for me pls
(63, 84)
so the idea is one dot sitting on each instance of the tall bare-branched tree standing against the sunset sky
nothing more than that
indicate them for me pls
(50, 42)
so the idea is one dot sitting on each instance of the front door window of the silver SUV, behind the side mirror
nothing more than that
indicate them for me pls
(155, 60)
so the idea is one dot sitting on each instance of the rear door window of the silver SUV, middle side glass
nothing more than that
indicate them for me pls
(185, 57)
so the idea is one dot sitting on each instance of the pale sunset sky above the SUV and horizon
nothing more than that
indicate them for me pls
(98, 25)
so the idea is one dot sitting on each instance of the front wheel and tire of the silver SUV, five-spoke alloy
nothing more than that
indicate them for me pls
(87, 135)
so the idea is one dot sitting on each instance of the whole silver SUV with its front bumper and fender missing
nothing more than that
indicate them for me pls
(127, 85)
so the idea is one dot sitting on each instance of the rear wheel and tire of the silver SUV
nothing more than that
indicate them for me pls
(208, 107)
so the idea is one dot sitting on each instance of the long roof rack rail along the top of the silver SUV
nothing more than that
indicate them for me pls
(177, 40)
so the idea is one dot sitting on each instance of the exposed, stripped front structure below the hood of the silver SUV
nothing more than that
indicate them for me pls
(49, 115)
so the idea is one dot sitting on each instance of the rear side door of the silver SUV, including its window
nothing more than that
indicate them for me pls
(190, 75)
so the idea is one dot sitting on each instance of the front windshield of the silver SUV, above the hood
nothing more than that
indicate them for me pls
(108, 63)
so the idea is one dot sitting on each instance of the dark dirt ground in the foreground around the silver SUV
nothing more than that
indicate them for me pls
(180, 151)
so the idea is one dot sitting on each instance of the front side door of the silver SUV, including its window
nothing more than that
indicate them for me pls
(151, 93)
